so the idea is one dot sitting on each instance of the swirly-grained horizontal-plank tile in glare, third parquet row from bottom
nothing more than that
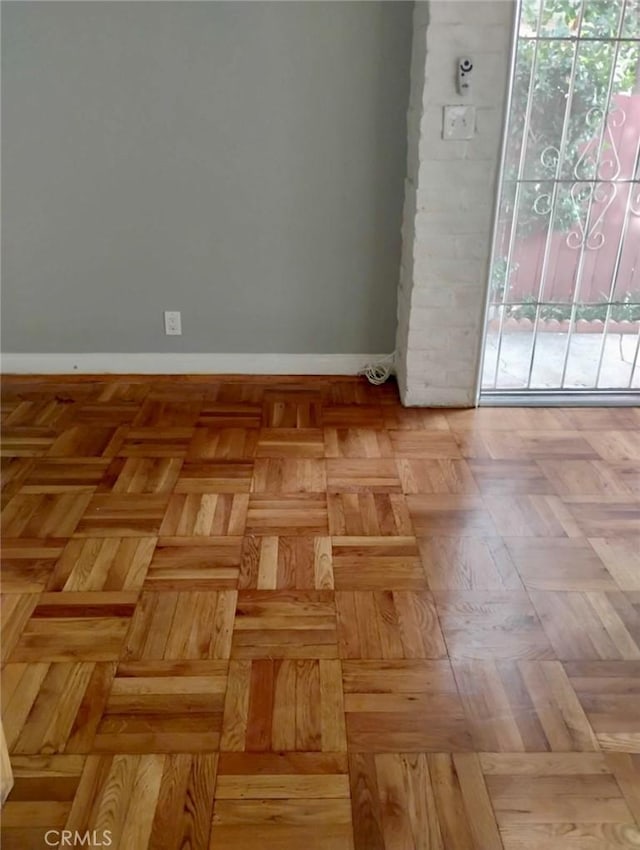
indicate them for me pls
(491, 625)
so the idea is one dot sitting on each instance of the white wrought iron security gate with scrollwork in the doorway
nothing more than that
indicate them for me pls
(563, 311)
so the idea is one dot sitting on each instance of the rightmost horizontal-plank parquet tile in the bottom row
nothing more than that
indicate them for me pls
(564, 804)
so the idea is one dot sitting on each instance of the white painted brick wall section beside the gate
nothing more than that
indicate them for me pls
(449, 198)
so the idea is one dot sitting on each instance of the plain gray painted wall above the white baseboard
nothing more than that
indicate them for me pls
(240, 162)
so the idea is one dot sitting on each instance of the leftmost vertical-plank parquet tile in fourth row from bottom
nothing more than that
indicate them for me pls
(102, 563)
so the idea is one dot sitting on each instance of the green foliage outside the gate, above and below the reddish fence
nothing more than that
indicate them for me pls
(600, 68)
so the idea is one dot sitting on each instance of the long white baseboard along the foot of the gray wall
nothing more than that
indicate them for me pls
(185, 364)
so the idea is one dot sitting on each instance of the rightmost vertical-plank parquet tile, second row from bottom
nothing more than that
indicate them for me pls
(522, 706)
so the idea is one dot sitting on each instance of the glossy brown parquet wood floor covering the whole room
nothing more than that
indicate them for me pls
(287, 613)
